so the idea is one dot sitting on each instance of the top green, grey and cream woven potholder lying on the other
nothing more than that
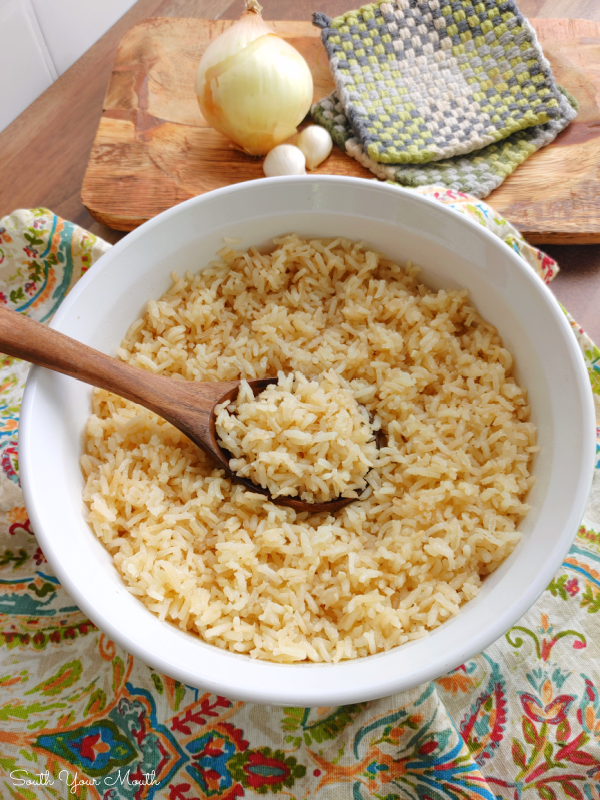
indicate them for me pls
(423, 80)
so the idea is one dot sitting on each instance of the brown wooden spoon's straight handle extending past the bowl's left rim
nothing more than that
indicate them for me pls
(24, 338)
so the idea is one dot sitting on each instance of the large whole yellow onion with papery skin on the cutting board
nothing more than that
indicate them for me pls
(252, 86)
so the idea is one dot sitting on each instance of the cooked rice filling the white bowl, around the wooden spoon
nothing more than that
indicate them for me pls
(443, 500)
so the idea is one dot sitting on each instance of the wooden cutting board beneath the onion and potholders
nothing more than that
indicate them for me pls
(153, 148)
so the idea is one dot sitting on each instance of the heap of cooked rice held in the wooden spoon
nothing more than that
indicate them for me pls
(299, 437)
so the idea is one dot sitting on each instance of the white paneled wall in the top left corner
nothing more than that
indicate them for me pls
(40, 39)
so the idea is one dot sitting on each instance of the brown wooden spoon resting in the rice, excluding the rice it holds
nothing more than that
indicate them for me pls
(188, 405)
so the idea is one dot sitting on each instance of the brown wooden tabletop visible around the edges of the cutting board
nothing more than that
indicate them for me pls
(45, 151)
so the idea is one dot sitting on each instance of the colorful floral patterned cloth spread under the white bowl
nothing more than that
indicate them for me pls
(80, 717)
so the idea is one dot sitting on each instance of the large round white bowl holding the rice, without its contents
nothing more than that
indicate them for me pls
(454, 252)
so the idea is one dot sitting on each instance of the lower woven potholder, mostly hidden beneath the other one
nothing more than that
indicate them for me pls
(477, 173)
